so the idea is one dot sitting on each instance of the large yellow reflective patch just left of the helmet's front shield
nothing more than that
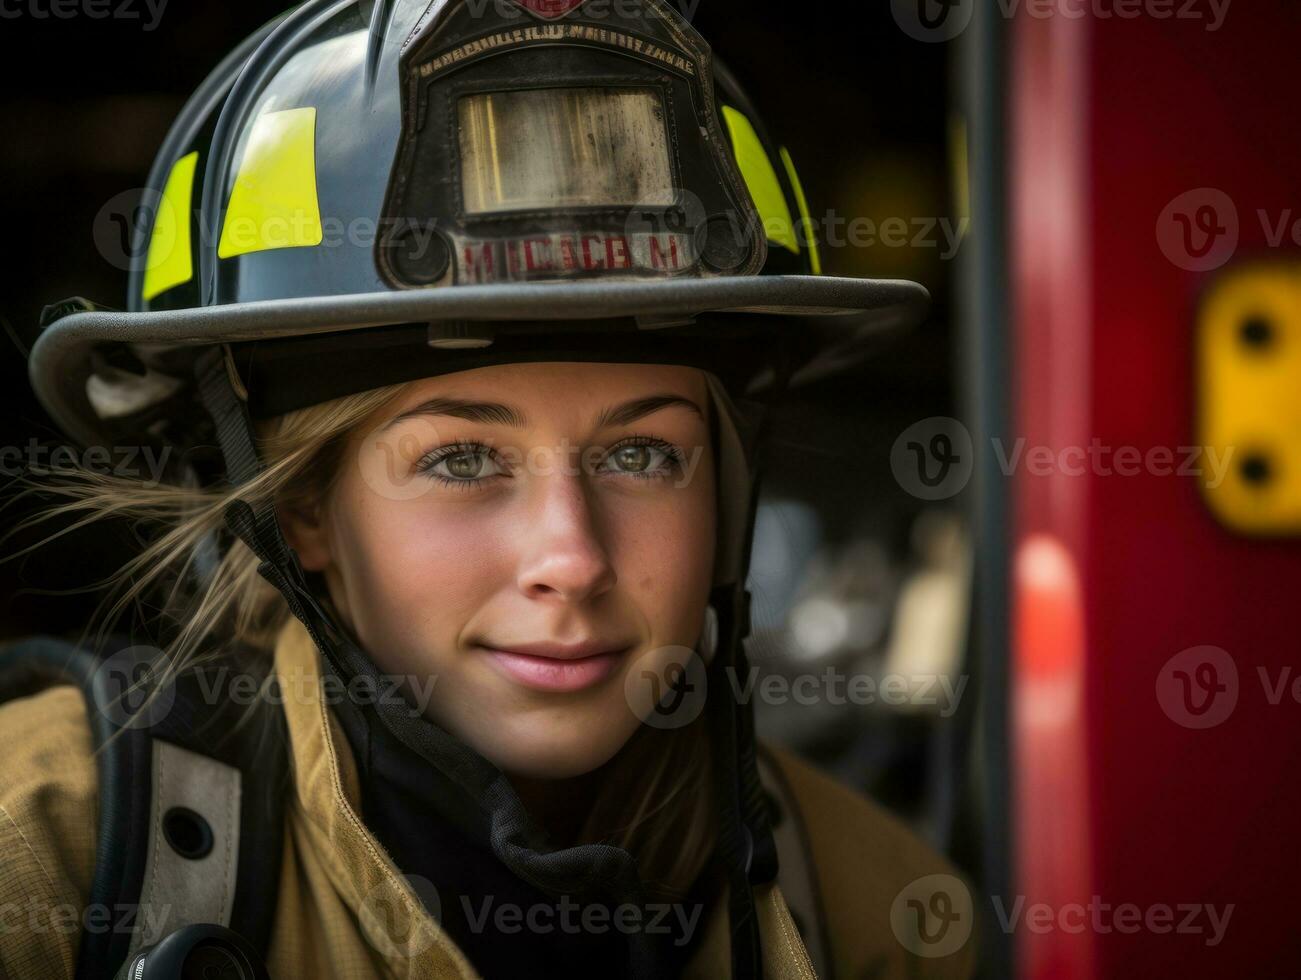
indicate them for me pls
(274, 204)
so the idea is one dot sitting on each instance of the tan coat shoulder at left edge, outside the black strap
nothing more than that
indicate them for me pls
(47, 831)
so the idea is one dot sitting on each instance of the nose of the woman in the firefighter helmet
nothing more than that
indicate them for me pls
(565, 556)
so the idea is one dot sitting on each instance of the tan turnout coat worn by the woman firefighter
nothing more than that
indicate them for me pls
(862, 860)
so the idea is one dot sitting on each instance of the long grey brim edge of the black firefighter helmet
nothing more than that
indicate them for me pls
(842, 309)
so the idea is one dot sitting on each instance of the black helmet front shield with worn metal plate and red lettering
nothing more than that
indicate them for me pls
(548, 146)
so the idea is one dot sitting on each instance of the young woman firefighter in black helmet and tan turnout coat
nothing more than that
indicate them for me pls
(460, 323)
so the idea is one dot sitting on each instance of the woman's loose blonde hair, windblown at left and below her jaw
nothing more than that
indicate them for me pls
(655, 797)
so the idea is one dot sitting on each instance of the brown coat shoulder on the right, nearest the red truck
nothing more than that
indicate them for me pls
(863, 862)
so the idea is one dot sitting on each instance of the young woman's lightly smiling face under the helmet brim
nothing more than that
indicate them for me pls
(526, 539)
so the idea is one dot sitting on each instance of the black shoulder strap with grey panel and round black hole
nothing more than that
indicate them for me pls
(191, 805)
